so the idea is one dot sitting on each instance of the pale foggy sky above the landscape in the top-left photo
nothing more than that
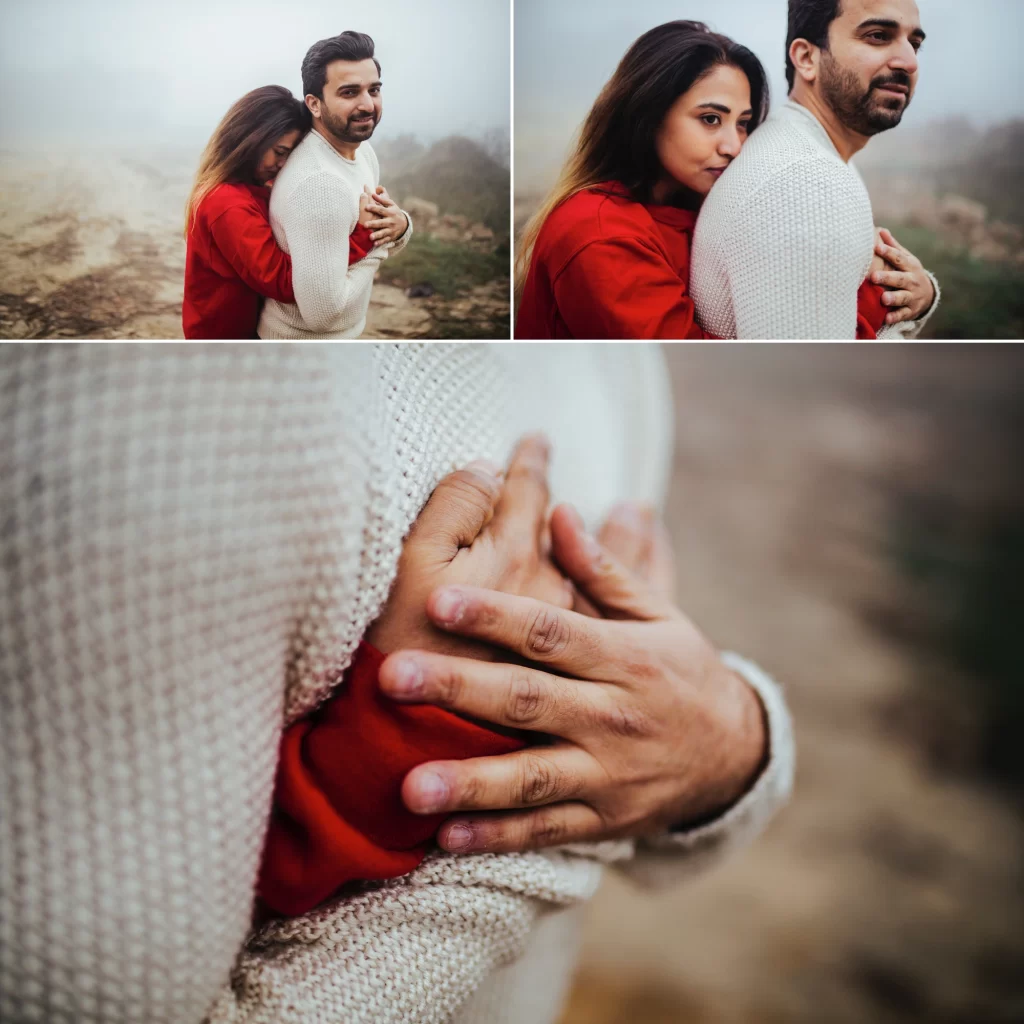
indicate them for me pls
(107, 70)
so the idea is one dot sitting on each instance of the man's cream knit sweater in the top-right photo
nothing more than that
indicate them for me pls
(786, 239)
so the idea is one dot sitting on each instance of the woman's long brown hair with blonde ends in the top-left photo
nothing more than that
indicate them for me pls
(252, 125)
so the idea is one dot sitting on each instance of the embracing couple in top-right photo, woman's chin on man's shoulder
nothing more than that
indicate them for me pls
(688, 212)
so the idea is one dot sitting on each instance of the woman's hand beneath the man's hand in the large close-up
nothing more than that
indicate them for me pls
(482, 528)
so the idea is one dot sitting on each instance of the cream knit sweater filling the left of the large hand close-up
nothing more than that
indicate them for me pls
(194, 540)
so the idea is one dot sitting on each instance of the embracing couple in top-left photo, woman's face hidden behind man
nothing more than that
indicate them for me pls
(298, 263)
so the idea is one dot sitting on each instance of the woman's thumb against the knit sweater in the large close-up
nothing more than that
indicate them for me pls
(459, 508)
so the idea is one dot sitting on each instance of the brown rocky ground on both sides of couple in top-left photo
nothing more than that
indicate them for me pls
(92, 247)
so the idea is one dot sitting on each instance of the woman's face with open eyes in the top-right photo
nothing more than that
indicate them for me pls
(705, 131)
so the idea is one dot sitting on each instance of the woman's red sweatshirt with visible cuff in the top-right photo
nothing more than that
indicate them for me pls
(607, 267)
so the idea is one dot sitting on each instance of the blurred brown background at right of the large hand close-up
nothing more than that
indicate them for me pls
(851, 518)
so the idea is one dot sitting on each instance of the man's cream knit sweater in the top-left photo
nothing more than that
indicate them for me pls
(315, 205)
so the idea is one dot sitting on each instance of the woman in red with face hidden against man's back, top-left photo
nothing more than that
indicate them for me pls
(233, 261)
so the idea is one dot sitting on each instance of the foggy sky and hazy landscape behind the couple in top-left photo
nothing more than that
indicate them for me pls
(109, 105)
